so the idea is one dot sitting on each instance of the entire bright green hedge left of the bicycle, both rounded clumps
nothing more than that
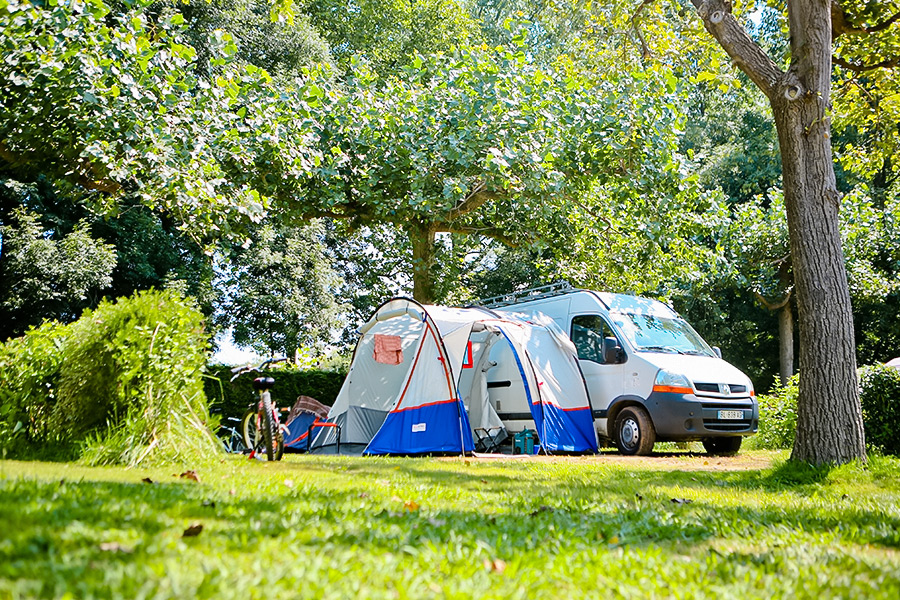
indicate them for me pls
(123, 383)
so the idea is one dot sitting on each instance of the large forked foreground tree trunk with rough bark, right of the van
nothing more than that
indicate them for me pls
(829, 417)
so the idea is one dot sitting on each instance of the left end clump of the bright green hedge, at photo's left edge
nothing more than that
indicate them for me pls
(29, 376)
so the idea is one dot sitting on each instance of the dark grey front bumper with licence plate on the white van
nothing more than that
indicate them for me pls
(683, 417)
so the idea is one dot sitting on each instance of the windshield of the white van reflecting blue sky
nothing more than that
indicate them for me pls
(649, 333)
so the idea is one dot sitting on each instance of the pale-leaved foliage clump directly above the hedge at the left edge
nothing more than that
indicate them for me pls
(46, 278)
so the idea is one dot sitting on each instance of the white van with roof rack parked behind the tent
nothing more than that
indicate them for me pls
(650, 376)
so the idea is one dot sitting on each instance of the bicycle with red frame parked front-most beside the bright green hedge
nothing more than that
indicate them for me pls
(264, 416)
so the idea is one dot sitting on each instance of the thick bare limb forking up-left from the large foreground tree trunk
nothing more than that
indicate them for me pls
(746, 54)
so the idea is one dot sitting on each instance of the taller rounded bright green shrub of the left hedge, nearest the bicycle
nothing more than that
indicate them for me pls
(130, 382)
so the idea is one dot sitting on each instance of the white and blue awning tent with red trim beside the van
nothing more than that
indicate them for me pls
(419, 382)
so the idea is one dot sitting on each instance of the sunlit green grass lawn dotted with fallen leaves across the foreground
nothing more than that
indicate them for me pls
(341, 527)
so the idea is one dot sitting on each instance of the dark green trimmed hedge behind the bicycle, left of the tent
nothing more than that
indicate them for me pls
(231, 399)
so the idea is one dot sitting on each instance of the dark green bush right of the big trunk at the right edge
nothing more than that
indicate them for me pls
(879, 391)
